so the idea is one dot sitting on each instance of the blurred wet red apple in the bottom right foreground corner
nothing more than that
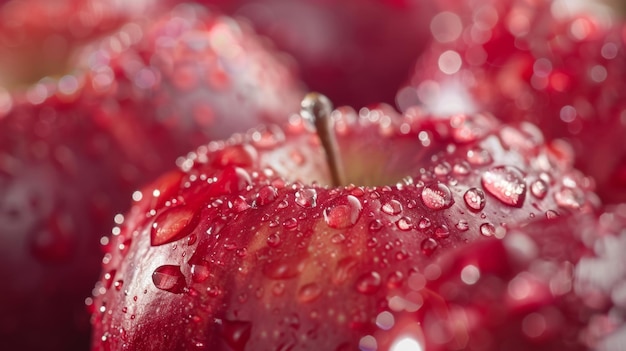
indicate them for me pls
(556, 284)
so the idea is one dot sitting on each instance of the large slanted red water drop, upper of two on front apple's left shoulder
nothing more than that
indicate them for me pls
(173, 224)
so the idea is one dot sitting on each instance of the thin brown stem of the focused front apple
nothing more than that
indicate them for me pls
(317, 109)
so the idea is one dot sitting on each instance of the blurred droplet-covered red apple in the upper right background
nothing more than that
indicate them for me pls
(518, 60)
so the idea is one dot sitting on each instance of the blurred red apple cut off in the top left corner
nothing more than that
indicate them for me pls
(37, 37)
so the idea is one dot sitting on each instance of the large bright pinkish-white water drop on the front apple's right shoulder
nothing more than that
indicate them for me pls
(505, 183)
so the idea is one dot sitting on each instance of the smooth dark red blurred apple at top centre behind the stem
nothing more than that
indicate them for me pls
(356, 52)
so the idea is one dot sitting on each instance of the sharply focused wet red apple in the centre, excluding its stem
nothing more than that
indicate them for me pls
(247, 246)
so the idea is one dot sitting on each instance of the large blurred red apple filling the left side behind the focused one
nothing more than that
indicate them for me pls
(73, 149)
